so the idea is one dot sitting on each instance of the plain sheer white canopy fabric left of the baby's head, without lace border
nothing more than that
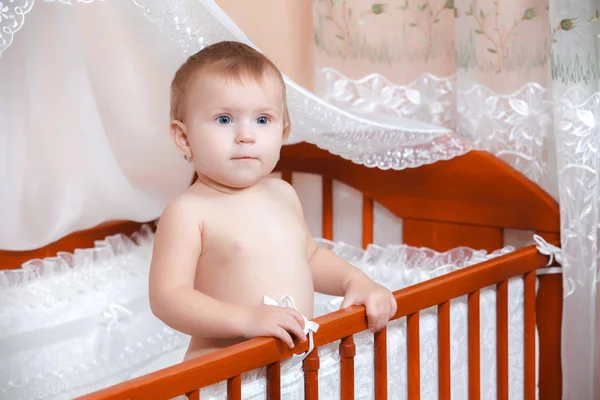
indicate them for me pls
(84, 122)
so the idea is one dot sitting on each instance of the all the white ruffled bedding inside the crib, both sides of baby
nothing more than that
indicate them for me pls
(81, 321)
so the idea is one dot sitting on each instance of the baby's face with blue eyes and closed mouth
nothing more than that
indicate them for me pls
(235, 128)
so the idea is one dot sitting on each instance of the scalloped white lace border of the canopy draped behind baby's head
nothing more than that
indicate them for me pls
(194, 24)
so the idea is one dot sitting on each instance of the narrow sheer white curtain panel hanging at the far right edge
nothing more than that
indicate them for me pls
(576, 99)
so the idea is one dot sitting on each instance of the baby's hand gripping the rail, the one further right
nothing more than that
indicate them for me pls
(379, 301)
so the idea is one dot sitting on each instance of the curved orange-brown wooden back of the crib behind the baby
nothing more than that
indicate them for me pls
(467, 200)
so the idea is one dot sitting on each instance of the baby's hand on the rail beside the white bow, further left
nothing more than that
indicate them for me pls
(265, 320)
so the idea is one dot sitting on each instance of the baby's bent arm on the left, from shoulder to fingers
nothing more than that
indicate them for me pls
(173, 299)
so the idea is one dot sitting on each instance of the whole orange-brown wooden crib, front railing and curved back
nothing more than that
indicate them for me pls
(466, 201)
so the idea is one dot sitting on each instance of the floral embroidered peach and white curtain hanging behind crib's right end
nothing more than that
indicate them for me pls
(520, 80)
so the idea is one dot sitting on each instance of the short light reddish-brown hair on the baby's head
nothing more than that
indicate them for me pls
(229, 59)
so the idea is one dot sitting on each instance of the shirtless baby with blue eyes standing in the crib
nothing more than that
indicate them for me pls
(237, 235)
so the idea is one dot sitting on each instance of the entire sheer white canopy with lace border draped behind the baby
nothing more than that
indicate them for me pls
(91, 81)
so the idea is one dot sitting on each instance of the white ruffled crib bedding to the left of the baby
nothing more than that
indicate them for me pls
(80, 321)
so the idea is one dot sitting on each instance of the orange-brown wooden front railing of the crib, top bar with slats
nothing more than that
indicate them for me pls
(230, 363)
